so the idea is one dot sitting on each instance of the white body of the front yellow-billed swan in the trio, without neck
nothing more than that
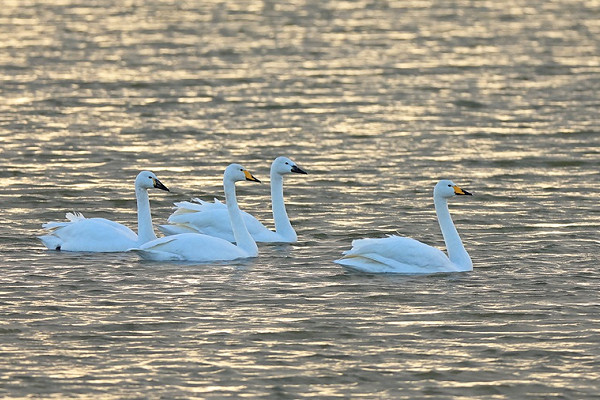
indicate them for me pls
(190, 247)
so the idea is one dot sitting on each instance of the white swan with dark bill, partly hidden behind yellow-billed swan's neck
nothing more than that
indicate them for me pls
(212, 218)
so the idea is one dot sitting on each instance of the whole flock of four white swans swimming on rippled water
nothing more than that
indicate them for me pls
(200, 231)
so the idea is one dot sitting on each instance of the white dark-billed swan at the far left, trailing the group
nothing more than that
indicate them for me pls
(103, 235)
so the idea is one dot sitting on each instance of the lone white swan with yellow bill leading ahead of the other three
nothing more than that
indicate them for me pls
(395, 254)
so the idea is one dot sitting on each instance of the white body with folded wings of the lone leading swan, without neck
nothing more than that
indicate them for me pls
(395, 254)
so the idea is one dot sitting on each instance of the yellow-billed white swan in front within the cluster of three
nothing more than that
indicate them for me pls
(204, 248)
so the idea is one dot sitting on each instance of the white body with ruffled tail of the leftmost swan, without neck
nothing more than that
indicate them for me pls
(88, 234)
